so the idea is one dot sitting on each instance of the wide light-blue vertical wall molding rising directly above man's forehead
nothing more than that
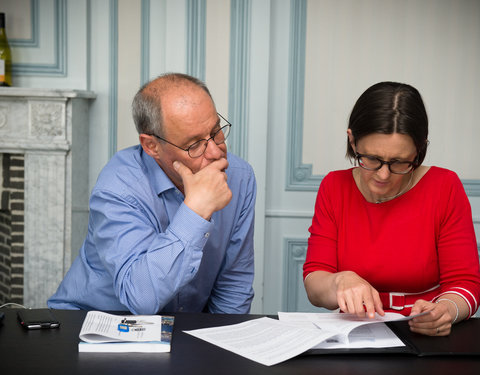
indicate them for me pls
(196, 38)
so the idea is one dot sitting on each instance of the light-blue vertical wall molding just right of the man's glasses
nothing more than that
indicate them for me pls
(239, 77)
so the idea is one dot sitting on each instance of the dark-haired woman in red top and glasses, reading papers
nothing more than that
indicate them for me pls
(393, 234)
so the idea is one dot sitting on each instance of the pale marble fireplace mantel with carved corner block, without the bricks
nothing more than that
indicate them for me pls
(50, 127)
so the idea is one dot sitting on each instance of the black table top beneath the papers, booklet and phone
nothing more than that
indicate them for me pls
(55, 351)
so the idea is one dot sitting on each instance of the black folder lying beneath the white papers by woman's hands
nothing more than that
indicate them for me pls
(463, 340)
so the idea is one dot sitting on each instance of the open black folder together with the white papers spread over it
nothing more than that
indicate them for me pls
(270, 341)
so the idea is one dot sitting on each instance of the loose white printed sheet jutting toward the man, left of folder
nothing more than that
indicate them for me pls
(264, 340)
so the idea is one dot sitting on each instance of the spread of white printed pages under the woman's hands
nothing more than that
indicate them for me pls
(270, 341)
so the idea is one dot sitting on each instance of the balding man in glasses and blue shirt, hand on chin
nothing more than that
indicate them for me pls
(171, 220)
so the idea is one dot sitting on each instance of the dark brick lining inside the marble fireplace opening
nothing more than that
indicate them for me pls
(12, 204)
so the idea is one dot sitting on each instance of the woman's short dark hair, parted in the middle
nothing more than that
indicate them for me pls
(387, 108)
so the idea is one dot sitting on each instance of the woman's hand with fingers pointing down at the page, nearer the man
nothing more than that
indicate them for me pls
(356, 296)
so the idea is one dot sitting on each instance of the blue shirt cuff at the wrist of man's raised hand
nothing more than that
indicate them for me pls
(190, 227)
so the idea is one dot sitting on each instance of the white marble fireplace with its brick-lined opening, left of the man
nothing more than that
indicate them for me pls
(43, 217)
